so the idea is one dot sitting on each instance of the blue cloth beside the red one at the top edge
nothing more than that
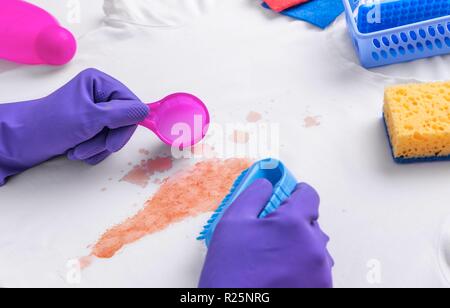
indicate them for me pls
(320, 13)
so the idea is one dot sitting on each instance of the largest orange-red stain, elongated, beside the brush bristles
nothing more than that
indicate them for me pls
(197, 190)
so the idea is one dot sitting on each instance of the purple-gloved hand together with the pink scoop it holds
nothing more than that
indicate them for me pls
(88, 119)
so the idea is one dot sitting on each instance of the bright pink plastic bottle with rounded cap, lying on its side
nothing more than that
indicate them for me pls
(30, 35)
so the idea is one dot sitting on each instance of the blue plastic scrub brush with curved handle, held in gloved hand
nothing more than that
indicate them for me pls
(284, 183)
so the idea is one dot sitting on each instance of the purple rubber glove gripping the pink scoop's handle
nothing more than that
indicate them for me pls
(89, 118)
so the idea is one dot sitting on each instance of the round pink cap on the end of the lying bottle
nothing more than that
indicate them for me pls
(56, 45)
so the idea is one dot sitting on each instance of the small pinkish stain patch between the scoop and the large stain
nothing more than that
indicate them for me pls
(140, 174)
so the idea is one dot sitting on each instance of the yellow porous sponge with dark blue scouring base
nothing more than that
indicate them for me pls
(417, 118)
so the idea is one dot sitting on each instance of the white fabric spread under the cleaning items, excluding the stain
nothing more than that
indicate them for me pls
(238, 58)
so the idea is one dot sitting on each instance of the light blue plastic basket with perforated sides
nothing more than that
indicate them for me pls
(405, 43)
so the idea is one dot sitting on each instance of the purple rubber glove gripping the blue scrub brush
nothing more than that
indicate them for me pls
(287, 249)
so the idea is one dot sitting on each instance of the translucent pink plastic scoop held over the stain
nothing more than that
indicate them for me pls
(179, 120)
